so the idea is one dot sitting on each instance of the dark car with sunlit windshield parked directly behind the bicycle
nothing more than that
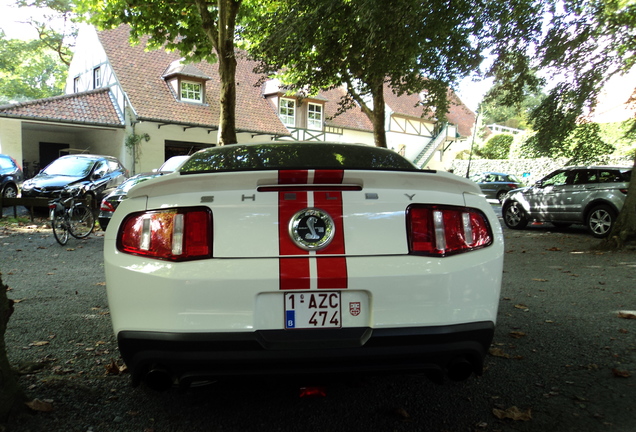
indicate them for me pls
(95, 172)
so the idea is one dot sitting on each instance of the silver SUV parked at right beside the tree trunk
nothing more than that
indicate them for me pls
(573, 195)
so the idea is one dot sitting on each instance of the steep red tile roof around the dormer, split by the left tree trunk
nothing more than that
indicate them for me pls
(140, 75)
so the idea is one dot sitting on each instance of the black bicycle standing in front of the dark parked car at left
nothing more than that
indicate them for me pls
(69, 215)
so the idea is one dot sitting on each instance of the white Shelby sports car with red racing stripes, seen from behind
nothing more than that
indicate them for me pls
(300, 257)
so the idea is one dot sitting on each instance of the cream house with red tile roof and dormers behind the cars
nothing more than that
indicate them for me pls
(146, 106)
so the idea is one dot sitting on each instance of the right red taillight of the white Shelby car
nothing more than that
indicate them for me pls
(443, 230)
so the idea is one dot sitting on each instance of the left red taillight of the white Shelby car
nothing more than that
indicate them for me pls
(175, 234)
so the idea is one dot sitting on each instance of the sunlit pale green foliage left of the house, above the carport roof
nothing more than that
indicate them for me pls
(28, 70)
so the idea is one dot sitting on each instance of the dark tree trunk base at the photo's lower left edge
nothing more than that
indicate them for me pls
(11, 396)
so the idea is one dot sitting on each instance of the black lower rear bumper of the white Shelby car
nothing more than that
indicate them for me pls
(188, 357)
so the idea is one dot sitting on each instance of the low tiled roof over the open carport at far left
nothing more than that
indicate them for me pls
(93, 107)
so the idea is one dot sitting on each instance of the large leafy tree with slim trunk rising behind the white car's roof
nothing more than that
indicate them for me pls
(414, 46)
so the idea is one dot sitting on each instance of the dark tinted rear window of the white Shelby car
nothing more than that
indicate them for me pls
(295, 155)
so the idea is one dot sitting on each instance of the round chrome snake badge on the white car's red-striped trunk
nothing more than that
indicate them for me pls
(311, 229)
